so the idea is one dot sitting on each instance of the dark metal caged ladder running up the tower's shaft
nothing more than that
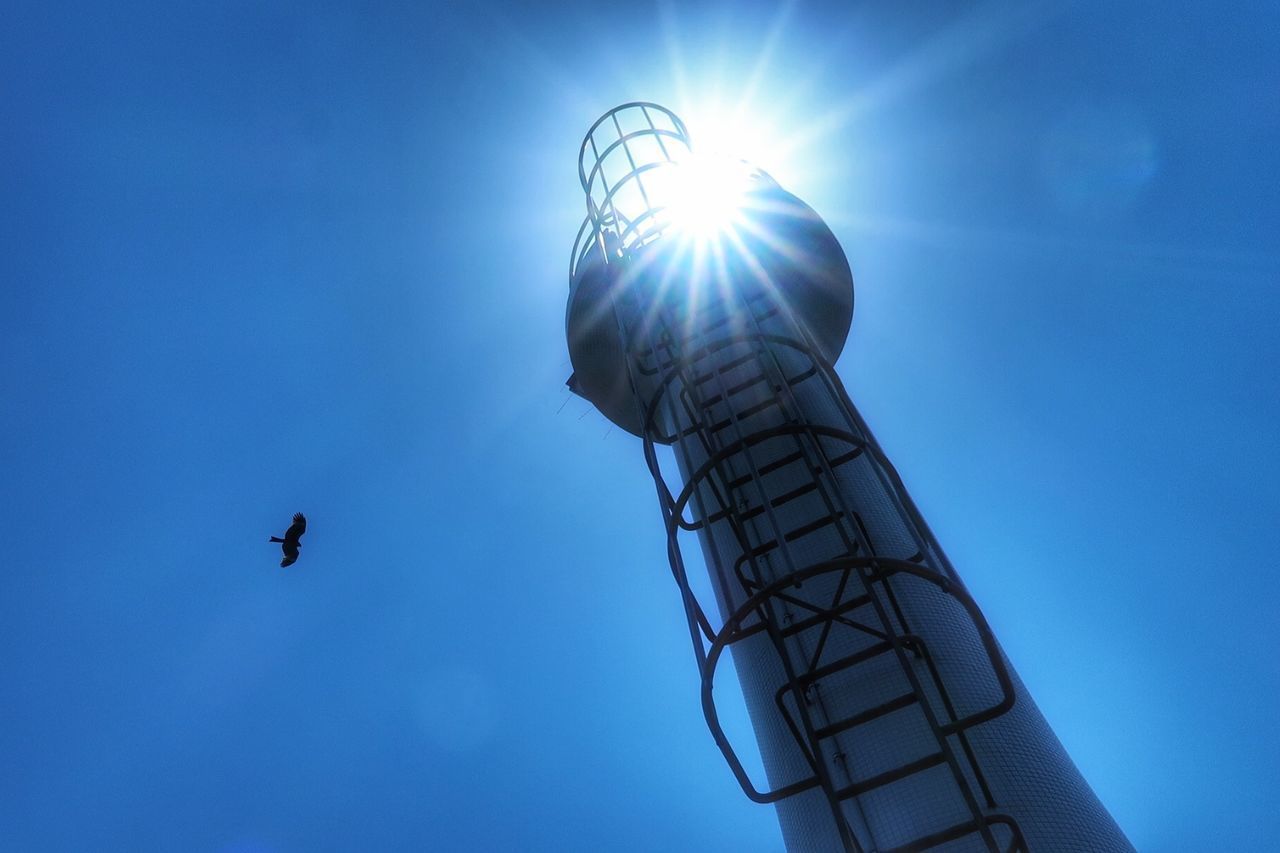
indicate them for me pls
(865, 601)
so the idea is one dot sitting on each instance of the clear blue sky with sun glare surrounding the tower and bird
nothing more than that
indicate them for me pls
(268, 258)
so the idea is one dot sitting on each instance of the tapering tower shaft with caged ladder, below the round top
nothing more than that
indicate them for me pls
(886, 715)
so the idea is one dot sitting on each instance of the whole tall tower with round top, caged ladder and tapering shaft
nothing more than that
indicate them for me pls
(707, 308)
